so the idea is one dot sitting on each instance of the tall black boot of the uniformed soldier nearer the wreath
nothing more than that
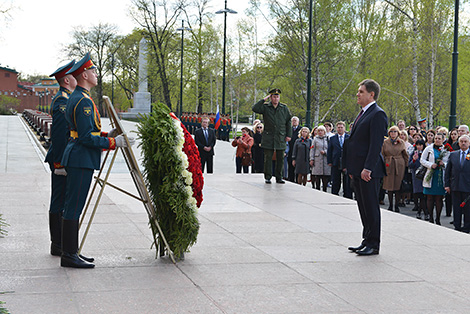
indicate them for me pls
(69, 256)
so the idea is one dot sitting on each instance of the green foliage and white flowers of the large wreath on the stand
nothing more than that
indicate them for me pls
(168, 180)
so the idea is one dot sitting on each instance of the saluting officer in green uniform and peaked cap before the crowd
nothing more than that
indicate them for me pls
(277, 131)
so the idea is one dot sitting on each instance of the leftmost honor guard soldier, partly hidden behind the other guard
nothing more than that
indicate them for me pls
(59, 138)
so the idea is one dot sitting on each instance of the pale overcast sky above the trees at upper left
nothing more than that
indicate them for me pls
(32, 39)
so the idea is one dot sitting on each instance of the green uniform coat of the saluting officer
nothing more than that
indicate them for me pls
(277, 124)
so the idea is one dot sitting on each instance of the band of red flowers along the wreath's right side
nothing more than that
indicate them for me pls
(191, 151)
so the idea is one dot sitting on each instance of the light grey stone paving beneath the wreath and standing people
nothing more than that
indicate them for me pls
(261, 249)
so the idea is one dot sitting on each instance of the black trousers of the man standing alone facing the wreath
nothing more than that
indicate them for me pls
(367, 194)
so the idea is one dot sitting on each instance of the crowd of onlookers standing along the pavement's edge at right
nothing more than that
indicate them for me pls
(416, 159)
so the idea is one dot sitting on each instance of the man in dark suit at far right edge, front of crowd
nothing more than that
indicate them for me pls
(457, 183)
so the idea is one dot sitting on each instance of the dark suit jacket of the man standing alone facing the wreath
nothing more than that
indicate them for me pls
(363, 148)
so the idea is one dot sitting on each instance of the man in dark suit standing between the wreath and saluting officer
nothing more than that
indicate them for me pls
(205, 141)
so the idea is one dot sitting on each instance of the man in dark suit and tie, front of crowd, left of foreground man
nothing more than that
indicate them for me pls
(335, 161)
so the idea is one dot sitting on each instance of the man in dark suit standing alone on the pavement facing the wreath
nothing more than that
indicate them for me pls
(365, 164)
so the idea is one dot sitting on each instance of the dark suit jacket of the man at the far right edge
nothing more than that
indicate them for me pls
(456, 176)
